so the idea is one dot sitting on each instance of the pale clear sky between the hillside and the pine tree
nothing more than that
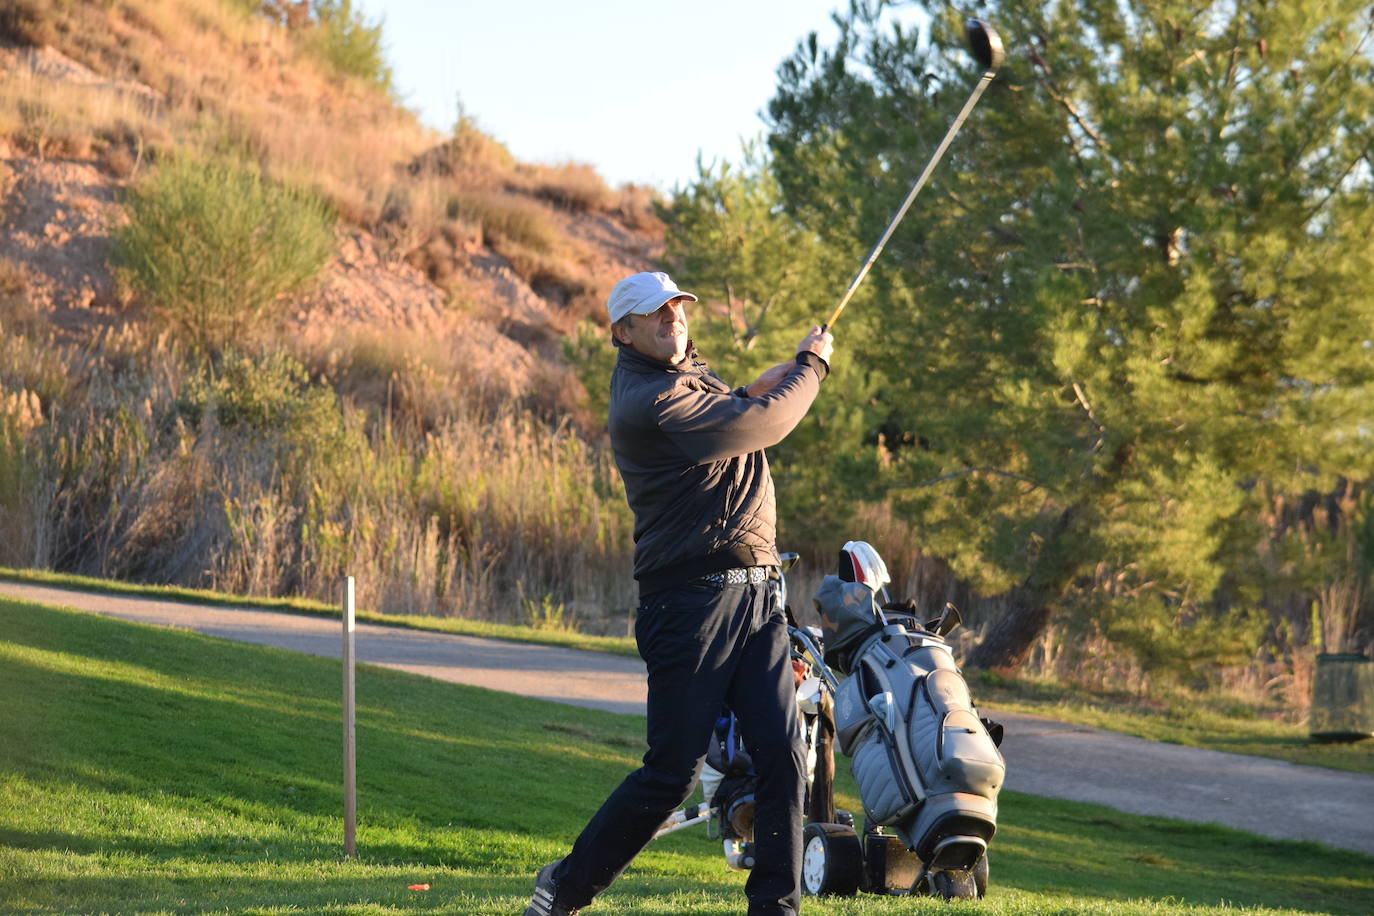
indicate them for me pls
(635, 89)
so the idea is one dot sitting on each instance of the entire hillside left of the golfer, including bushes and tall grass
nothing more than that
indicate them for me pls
(262, 329)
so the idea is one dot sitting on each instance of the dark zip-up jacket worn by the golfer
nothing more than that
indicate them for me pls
(690, 453)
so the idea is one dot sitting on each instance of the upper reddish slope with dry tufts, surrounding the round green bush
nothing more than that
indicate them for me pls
(94, 95)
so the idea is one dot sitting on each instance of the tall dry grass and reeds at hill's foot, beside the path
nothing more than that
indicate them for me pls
(458, 507)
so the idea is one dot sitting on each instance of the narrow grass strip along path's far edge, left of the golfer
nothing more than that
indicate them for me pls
(567, 639)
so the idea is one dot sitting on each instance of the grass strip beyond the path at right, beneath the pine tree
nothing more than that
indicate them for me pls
(1180, 719)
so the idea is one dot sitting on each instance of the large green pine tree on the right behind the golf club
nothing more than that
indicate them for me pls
(1134, 301)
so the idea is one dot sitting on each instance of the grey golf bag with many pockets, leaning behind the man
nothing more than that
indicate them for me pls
(927, 766)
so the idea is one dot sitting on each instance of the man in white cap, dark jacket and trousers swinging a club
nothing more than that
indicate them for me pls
(711, 634)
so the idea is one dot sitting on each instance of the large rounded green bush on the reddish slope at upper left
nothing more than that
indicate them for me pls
(212, 245)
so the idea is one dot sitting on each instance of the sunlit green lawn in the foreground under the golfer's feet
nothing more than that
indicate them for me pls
(157, 771)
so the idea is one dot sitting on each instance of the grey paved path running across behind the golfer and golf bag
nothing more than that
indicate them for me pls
(1045, 757)
